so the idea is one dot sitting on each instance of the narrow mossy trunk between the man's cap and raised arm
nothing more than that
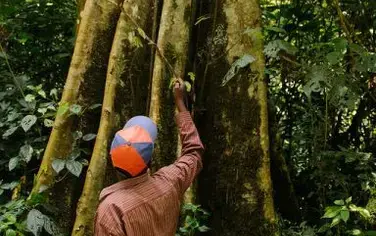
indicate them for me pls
(172, 42)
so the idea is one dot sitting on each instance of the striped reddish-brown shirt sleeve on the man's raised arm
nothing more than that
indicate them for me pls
(189, 164)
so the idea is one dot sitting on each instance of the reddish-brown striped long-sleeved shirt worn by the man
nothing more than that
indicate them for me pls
(149, 205)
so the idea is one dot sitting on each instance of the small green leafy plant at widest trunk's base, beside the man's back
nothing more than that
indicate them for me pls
(194, 218)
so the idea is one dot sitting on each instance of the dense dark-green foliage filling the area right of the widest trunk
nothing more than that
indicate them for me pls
(319, 85)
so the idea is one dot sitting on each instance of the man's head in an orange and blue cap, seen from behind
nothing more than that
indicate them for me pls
(132, 147)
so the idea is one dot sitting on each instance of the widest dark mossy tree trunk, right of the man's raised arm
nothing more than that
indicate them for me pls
(235, 184)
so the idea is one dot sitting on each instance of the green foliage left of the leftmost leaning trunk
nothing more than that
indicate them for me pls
(36, 39)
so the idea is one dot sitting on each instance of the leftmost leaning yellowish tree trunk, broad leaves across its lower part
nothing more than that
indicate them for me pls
(84, 86)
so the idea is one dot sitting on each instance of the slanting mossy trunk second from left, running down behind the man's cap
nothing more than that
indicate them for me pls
(125, 96)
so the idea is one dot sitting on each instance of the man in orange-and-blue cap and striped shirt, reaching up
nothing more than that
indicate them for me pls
(144, 204)
